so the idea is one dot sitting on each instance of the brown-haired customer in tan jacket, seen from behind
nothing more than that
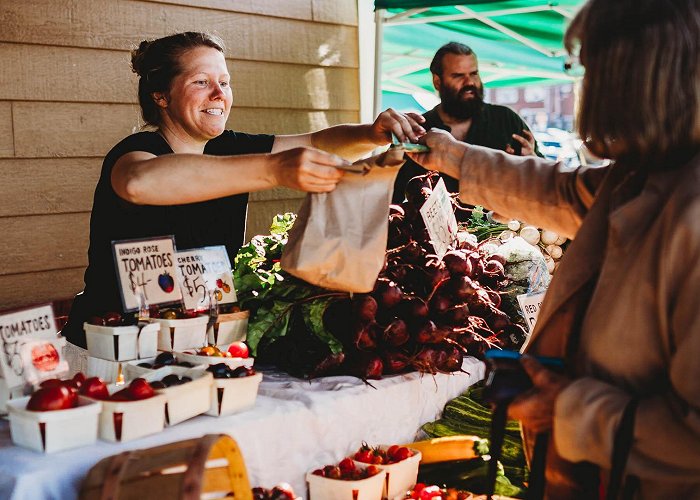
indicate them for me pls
(622, 308)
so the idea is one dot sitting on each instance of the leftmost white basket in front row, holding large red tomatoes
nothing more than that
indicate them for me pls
(52, 431)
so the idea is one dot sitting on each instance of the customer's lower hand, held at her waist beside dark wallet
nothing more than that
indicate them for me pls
(535, 408)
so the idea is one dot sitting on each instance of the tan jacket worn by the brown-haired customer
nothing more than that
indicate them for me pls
(640, 335)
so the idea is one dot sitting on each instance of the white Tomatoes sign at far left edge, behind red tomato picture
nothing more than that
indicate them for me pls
(15, 327)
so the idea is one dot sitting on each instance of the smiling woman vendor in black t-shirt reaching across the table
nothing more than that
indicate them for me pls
(190, 177)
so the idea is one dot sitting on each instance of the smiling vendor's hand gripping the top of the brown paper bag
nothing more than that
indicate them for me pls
(308, 169)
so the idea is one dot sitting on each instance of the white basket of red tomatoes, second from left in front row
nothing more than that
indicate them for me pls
(127, 420)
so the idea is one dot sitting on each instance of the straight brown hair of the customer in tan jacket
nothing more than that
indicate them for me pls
(640, 98)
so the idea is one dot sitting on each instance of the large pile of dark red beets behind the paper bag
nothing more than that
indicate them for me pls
(425, 313)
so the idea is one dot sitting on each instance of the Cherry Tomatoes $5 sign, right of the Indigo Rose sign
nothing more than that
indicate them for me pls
(204, 275)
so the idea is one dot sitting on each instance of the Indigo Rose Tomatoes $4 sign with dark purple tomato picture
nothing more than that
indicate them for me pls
(146, 271)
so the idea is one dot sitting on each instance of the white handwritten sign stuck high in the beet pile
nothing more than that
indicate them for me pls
(439, 218)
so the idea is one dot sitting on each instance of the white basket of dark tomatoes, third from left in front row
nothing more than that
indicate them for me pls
(186, 400)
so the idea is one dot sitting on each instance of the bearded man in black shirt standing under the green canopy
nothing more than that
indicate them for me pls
(463, 112)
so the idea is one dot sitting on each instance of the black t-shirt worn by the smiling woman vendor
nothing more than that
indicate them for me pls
(215, 222)
